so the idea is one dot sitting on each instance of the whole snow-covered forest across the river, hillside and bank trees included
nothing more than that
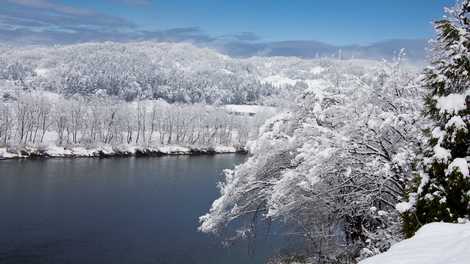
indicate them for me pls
(147, 94)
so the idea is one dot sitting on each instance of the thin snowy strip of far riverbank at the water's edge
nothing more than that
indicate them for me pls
(106, 151)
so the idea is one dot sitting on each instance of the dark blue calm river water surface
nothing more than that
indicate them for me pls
(114, 211)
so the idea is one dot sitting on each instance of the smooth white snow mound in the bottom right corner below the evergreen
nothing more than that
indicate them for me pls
(436, 243)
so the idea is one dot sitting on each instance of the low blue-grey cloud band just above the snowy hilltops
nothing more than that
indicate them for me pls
(235, 47)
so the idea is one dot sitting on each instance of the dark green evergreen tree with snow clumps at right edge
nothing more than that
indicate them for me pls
(441, 189)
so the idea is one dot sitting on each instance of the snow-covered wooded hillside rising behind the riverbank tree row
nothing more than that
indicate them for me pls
(175, 72)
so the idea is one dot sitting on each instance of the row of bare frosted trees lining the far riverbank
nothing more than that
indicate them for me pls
(34, 118)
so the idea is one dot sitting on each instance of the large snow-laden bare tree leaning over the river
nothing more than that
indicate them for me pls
(333, 168)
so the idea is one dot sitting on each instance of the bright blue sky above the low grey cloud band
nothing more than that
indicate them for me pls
(337, 22)
